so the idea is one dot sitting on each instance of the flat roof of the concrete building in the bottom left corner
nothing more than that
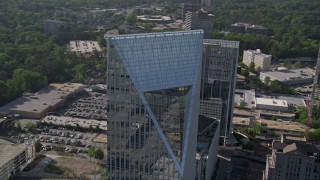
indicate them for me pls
(9, 150)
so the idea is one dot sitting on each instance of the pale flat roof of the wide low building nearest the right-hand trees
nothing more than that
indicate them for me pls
(290, 74)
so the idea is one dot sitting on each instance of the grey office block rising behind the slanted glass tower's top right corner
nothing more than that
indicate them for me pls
(200, 20)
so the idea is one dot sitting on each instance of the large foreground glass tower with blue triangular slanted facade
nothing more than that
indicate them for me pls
(153, 91)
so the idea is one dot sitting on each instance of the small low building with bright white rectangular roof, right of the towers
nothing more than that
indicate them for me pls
(271, 104)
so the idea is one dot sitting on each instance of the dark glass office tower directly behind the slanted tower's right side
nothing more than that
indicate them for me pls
(219, 65)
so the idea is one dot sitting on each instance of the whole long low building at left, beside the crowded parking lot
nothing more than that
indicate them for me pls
(37, 105)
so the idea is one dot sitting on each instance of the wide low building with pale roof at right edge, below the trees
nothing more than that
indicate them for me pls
(290, 77)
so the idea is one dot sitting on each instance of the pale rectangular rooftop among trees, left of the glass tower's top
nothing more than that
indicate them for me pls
(84, 46)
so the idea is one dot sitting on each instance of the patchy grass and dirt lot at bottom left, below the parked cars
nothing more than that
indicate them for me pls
(72, 167)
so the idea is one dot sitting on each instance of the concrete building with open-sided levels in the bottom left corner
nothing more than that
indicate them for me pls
(14, 158)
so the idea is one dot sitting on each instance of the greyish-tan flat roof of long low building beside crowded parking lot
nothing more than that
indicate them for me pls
(40, 101)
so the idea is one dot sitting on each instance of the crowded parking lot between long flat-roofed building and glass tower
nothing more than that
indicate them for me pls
(89, 105)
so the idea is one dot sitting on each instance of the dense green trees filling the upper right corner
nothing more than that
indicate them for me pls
(294, 25)
